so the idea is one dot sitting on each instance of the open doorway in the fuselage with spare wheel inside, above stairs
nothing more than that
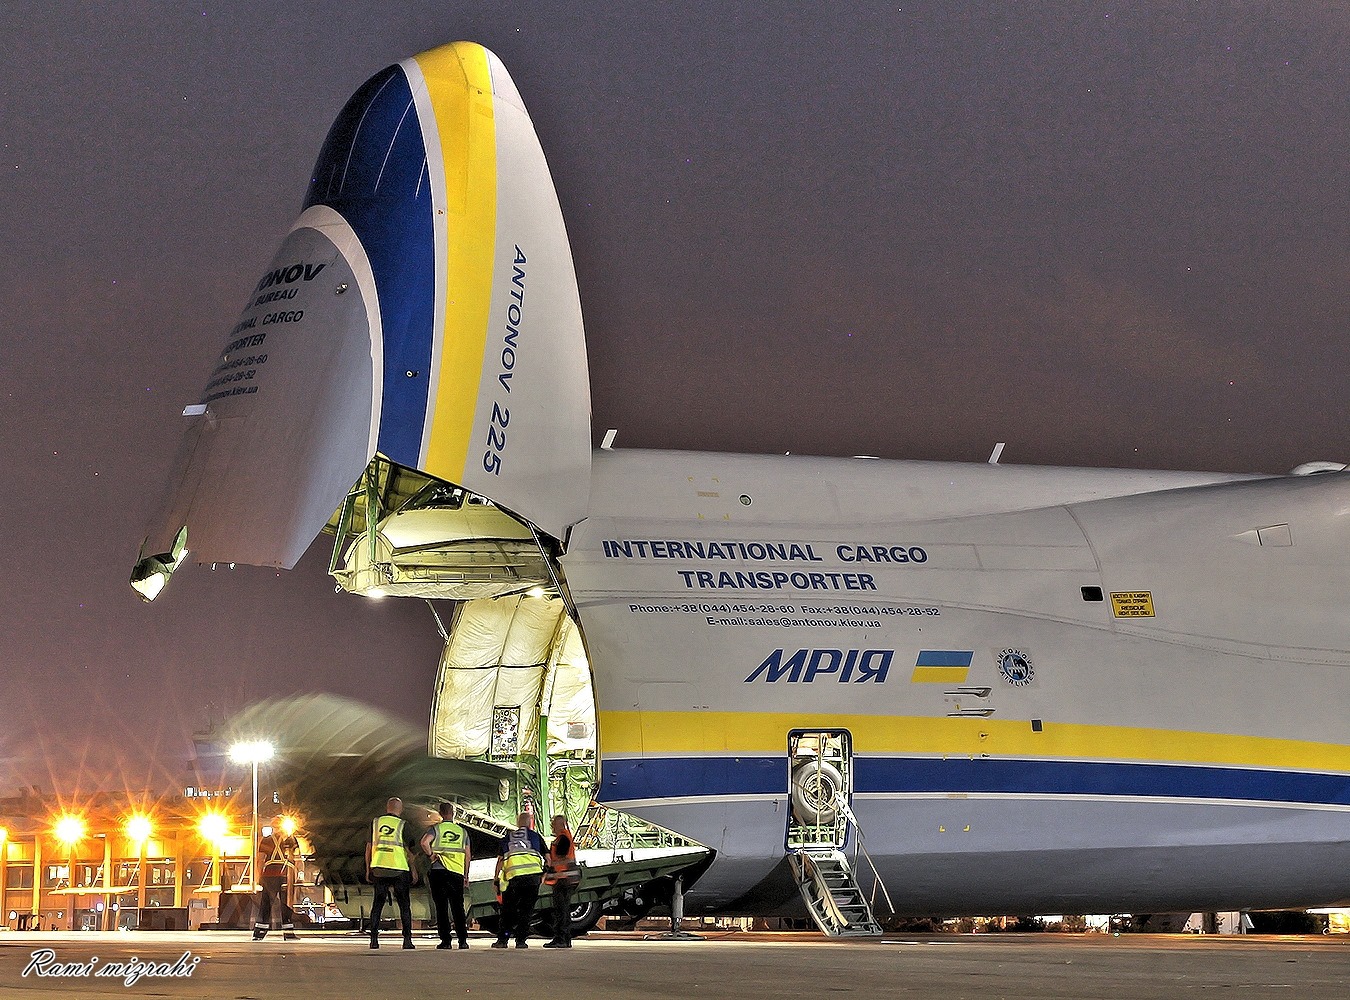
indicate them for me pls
(820, 778)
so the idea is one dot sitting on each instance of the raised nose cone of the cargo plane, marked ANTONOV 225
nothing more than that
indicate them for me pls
(425, 307)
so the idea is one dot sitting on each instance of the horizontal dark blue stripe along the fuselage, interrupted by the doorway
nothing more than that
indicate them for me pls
(669, 778)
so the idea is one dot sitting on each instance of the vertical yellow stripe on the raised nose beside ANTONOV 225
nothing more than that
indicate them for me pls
(461, 91)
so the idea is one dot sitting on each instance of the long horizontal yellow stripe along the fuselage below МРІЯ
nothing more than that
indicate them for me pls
(766, 733)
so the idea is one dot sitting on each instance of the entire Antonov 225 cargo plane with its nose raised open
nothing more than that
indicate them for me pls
(1033, 690)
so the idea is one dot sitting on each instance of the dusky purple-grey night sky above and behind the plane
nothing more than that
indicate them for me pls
(1110, 235)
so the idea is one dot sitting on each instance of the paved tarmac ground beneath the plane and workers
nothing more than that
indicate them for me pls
(226, 966)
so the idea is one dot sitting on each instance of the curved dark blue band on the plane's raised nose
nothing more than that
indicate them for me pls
(373, 171)
